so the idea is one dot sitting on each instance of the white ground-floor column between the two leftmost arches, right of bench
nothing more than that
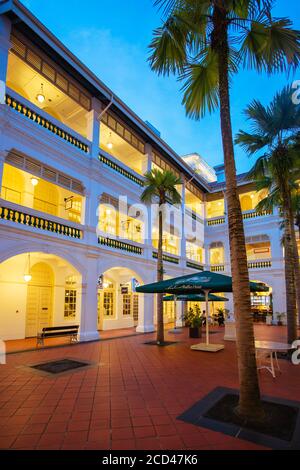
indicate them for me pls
(88, 323)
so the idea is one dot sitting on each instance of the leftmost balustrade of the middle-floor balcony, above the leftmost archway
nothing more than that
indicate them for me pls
(31, 220)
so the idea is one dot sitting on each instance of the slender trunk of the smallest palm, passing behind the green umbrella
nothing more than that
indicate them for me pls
(160, 276)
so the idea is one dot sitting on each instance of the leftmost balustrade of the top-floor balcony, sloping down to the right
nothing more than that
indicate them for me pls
(42, 119)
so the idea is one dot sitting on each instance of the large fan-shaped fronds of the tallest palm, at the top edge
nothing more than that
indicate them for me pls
(188, 44)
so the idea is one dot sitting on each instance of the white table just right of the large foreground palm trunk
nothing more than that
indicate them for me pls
(272, 348)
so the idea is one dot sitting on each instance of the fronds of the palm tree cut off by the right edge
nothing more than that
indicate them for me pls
(275, 132)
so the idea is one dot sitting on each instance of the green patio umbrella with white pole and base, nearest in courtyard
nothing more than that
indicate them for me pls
(205, 282)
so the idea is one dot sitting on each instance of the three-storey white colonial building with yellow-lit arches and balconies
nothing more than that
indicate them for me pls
(71, 252)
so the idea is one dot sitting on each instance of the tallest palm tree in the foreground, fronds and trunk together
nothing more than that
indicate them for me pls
(205, 42)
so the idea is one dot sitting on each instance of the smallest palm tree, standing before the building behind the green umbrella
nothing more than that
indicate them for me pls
(160, 187)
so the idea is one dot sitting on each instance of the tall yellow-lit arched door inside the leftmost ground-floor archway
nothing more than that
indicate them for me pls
(39, 309)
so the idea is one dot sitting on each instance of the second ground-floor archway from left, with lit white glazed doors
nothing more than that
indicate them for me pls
(118, 303)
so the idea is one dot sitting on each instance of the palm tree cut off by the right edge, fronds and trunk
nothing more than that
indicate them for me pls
(273, 130)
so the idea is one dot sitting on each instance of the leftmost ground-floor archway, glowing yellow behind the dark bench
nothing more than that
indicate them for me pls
(38, 289)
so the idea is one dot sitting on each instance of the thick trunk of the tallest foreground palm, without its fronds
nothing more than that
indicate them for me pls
(249, 402)
